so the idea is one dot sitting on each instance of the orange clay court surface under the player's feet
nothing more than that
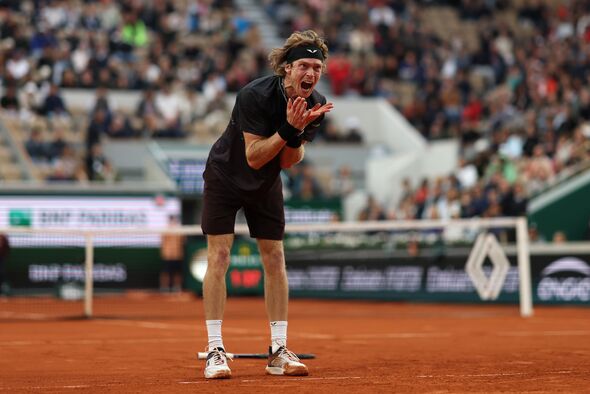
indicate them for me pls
(147, 343)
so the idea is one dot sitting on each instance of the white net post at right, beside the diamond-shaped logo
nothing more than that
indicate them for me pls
(524, 267)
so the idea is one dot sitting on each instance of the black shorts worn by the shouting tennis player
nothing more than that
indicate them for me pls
(264, 212)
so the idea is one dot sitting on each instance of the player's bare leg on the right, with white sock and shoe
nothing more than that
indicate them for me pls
(276, 296)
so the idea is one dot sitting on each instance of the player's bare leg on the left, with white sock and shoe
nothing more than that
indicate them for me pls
(214, 297)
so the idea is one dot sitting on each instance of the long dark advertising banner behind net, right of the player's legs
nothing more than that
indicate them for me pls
(557, 279)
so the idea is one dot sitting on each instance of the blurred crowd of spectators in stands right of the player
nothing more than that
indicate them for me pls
(508, 79)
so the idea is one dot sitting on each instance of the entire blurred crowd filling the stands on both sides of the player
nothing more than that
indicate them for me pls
(508, 79)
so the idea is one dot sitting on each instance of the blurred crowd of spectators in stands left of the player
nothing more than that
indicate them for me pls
(183, 57)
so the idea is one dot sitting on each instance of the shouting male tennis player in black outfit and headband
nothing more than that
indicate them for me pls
(272, 119)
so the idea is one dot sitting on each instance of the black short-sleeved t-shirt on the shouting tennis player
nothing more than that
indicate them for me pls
(261, 109)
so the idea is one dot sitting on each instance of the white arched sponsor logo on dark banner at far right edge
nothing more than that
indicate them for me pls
(566, 279)
